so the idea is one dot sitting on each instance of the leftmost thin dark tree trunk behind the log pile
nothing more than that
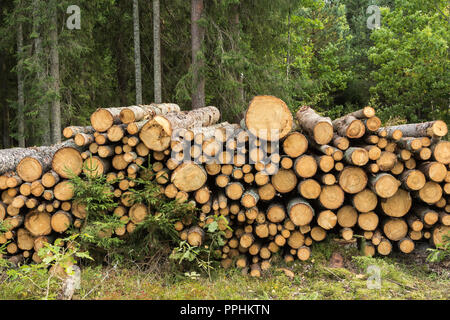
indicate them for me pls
(20, 94)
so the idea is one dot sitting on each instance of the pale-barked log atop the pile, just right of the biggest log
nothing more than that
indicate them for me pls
(318, 127)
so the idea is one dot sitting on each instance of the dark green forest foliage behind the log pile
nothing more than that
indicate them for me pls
(319, 53)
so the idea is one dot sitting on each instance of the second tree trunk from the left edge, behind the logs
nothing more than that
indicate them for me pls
(44, 117)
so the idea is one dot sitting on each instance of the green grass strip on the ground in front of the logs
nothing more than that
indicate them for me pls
(401, 278)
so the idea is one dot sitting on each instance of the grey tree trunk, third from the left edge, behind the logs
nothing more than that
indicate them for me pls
(54, 71)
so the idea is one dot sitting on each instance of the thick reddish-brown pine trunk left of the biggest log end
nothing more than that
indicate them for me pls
(197, 36)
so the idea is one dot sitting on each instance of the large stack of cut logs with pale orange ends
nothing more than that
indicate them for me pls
(280, 182)
